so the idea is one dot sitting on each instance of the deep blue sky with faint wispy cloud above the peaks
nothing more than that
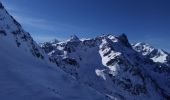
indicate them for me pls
(141, 20)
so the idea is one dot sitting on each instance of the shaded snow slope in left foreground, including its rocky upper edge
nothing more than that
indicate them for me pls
(27, 74)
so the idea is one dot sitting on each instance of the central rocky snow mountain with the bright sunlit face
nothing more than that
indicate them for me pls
(111, 66)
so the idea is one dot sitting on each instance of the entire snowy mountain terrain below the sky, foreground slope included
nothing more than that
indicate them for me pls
(107, 67)
